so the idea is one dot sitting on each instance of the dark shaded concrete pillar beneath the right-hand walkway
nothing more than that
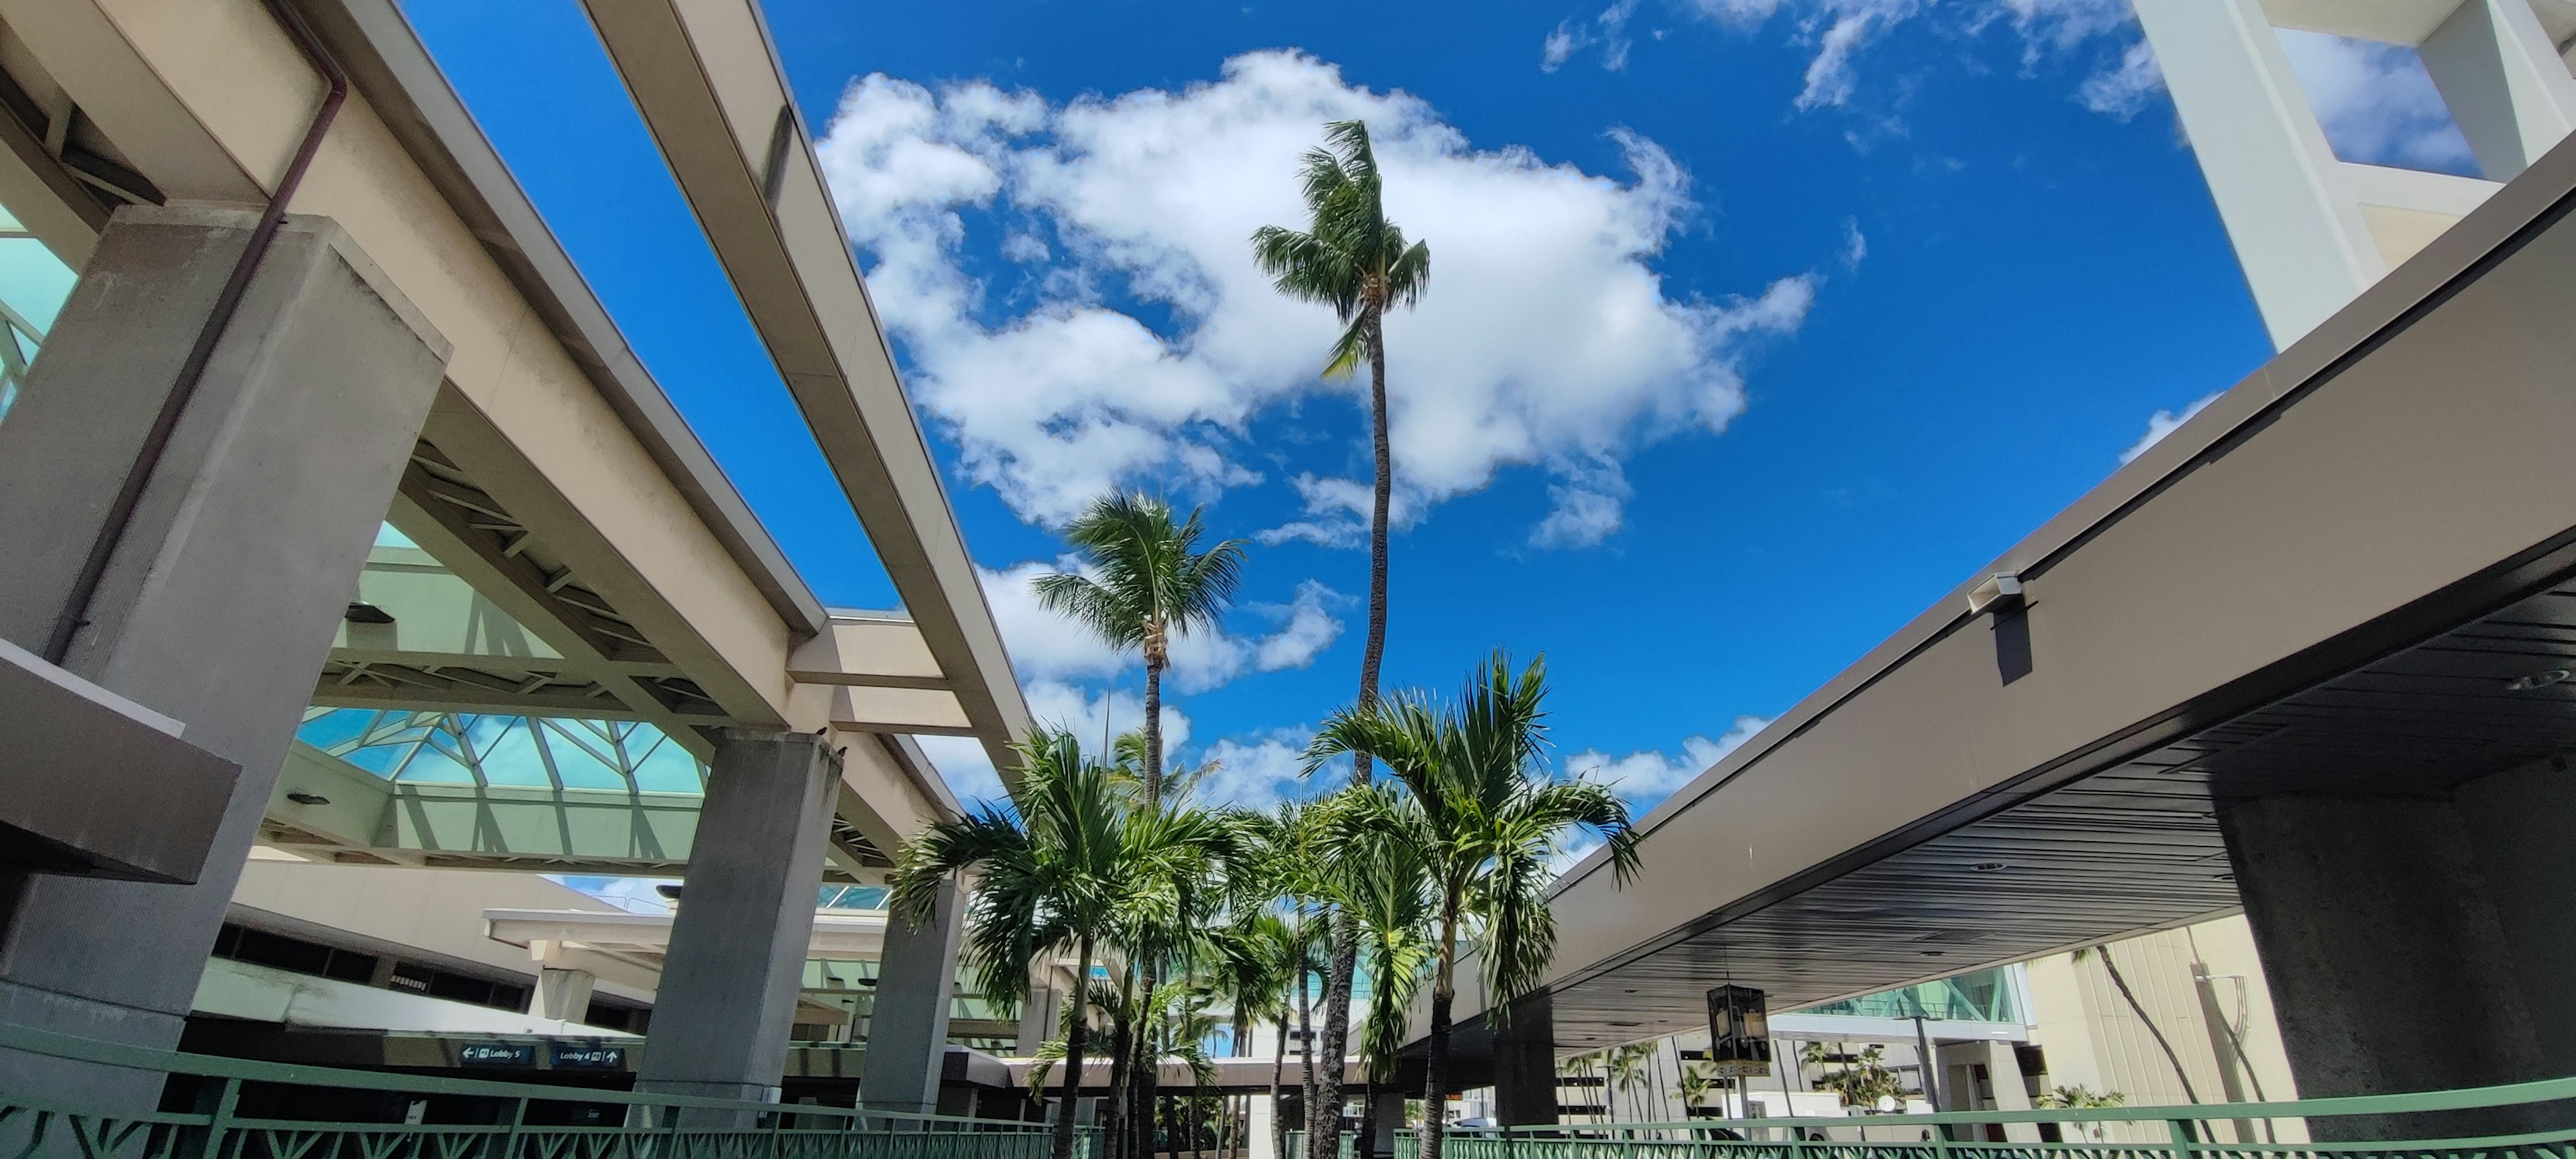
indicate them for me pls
(2387, 954)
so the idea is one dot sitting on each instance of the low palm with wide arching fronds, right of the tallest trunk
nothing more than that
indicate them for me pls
(1488, 818)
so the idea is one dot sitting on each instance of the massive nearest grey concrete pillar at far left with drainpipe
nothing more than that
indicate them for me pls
(223, 596)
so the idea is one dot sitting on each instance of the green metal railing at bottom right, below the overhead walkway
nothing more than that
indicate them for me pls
(2521, 1122)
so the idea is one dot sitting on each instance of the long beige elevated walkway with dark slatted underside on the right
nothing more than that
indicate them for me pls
(2351, 578)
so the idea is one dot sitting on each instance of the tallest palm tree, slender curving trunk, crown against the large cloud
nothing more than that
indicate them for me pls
(1359, 264)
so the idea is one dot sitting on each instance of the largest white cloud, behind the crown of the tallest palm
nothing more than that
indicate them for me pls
(1539, 279)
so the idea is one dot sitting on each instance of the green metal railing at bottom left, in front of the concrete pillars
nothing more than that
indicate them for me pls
(246, 1109)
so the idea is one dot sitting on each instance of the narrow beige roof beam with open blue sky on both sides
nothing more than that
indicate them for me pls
(717, 102)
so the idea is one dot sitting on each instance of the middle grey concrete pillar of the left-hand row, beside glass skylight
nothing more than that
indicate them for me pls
(738, 947)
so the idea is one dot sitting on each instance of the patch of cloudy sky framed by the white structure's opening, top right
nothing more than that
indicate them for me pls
(2376, 102)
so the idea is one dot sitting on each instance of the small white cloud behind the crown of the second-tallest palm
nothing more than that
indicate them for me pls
(1055, 648)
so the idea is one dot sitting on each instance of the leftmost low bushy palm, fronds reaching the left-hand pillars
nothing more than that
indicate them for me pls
(1055, 864)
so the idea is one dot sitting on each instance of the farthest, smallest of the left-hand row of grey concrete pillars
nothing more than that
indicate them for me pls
(908, 1024)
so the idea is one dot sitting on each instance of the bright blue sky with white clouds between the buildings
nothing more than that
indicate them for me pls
(1756, 326)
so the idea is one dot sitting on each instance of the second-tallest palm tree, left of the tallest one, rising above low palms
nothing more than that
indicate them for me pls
(1150, 586)
